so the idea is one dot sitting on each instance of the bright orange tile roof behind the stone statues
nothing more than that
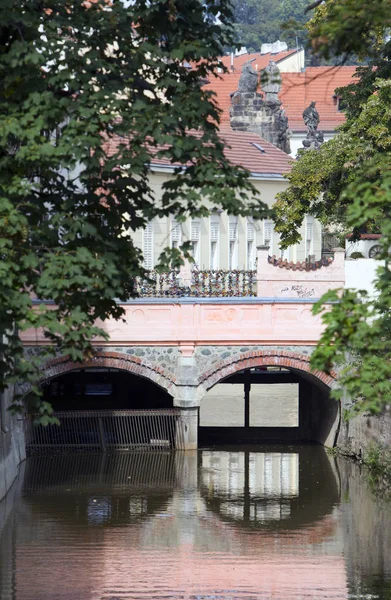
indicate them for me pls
(298, 90)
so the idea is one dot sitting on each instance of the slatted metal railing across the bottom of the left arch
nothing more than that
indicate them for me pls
(106, 430)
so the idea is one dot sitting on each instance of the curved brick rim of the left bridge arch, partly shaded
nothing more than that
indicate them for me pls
(114, 360)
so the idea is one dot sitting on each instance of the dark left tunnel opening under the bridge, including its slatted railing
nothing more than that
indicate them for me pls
(104, 409)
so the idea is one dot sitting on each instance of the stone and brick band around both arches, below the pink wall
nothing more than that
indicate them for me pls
(187, 376)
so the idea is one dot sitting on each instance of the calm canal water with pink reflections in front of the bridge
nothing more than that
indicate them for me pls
(281, 523)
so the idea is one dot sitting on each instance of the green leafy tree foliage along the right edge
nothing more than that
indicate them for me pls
(348, 183)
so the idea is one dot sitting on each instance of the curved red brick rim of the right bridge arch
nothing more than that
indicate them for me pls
(247, 360)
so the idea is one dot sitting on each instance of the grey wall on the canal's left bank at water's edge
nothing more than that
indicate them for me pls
(12, 448)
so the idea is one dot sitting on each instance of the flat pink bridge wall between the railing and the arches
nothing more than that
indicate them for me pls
(192, 322)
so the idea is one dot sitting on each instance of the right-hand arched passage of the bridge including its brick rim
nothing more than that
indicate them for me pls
(317, 414)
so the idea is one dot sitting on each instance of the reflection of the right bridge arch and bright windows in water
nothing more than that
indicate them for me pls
(270, 488)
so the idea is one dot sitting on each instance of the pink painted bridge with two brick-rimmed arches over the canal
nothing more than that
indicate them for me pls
(182, 347)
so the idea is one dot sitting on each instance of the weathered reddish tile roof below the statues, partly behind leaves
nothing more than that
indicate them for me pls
(240, 150)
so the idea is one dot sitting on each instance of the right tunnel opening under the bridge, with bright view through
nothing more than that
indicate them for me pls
(268, 404)
